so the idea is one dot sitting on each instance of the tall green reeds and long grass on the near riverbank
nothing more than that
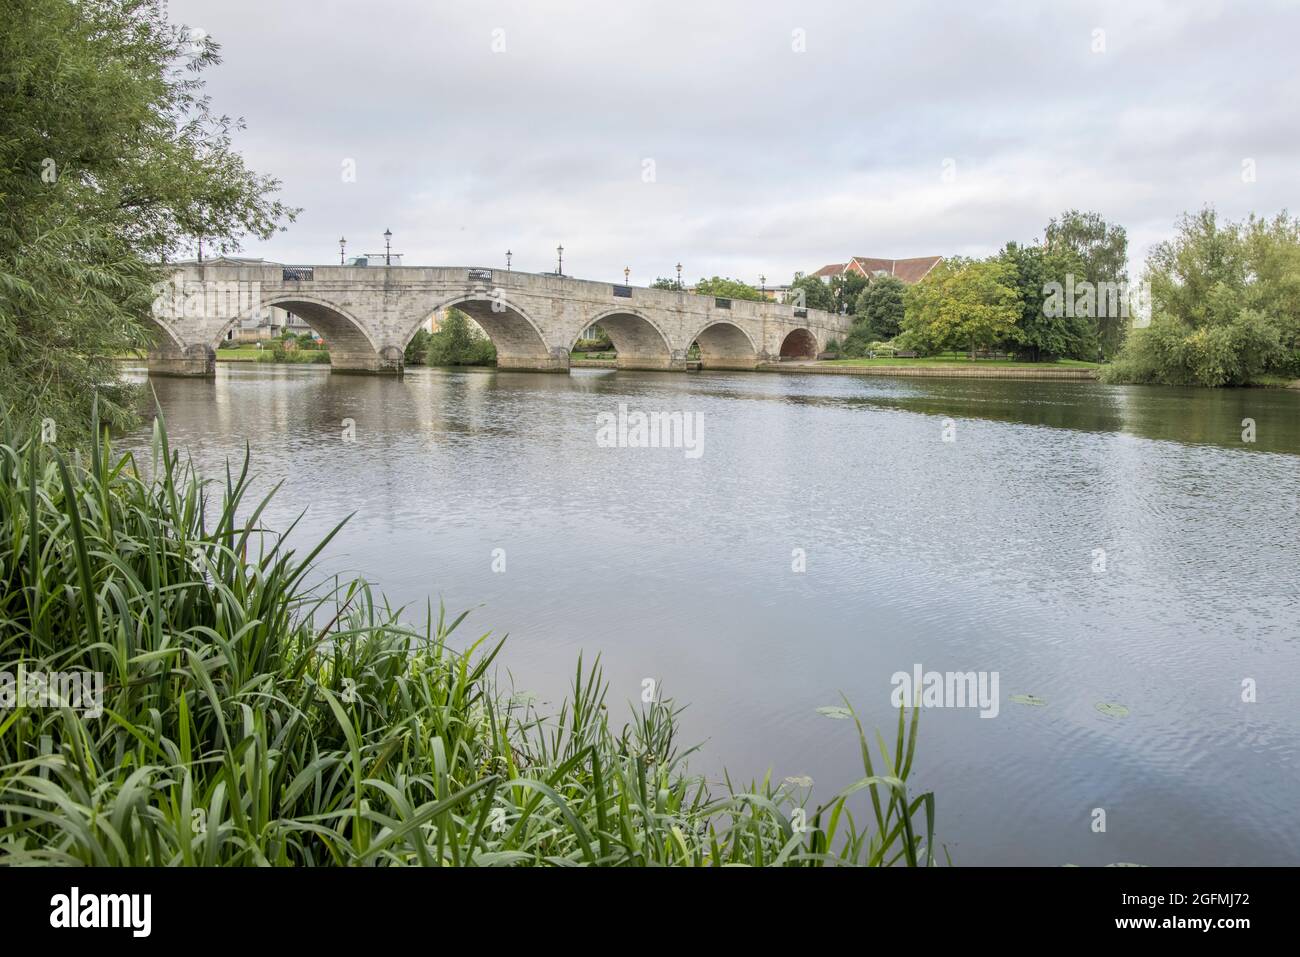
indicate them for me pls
(254, 717)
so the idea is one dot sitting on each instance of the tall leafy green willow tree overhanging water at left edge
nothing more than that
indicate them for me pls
(111, 163)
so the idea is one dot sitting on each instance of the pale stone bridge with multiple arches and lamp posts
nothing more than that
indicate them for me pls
(369, 315)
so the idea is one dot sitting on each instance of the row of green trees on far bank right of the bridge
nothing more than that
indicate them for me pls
(1219, 305)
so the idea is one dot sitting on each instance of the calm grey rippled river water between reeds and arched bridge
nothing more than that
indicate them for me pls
(977, 555)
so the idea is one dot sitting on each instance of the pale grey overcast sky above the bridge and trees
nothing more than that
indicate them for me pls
(749, 138)
